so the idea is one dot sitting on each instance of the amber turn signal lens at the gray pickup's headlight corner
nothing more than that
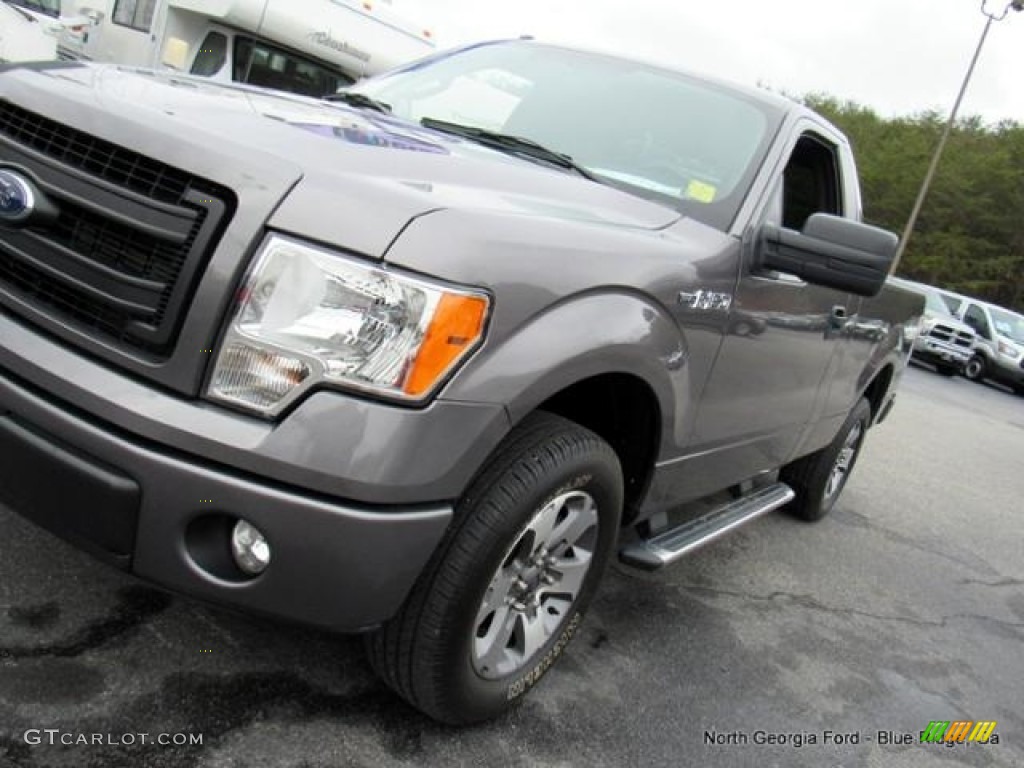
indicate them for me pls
(457, 326)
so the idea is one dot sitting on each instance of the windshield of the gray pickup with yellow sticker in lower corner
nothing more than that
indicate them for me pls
(654, 133)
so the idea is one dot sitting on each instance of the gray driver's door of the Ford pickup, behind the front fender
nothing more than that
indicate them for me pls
(783, 344)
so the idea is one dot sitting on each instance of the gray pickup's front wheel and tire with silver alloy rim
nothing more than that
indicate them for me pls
(472, 641)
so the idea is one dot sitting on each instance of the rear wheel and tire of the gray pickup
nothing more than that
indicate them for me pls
(819, 480)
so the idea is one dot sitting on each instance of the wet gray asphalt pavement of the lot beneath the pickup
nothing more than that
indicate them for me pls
(784, 645)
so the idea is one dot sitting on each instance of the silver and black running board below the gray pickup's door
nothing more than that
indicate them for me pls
(666, 548)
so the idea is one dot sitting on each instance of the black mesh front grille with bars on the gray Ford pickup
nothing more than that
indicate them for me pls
(122, 260)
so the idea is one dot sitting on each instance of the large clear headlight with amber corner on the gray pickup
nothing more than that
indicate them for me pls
(308, 316)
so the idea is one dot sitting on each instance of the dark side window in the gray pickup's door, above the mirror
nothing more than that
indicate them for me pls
(810, 183)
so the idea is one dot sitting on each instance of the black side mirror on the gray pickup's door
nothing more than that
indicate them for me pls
(832, 251)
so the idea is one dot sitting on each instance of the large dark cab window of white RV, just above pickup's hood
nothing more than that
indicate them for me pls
(259, 64)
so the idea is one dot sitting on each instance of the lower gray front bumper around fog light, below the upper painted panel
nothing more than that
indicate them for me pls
(166, 519)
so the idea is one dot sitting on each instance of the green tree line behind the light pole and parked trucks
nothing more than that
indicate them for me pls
(970, 235)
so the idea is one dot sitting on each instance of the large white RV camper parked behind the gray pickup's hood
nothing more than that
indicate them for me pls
(306, 47)
